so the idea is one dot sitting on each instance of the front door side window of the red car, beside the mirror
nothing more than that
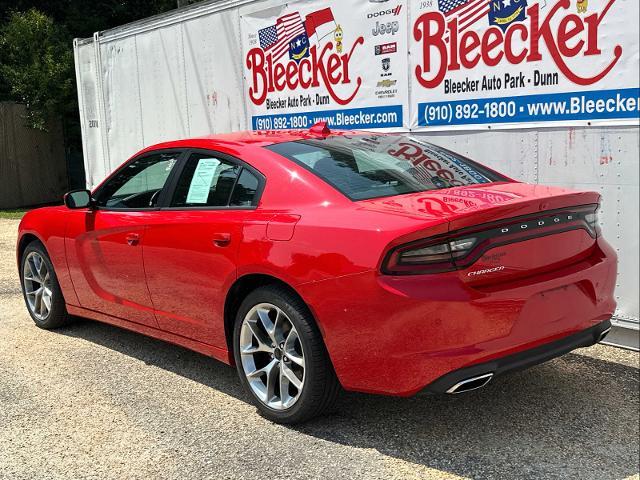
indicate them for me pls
(139, 183)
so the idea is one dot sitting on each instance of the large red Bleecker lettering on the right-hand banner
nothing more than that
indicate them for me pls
(574, 35)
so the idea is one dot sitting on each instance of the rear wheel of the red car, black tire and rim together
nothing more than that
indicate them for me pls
(281, 358)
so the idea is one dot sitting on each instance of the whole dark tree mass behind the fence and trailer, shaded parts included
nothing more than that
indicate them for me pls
(36, 57)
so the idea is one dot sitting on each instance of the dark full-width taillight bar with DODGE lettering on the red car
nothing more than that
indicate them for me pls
(462, 248)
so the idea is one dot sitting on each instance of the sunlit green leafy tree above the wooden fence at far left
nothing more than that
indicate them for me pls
(36, 66)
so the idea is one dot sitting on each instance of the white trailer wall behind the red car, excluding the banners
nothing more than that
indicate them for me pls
(180, 75)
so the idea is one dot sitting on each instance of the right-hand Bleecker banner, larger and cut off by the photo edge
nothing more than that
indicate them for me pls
(523, 63)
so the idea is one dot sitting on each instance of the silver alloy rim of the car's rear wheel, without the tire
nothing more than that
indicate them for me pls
(272, 356)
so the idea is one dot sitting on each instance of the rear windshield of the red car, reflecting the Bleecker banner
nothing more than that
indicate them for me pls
(371, 166)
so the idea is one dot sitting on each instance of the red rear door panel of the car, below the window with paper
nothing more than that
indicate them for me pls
(190, 261)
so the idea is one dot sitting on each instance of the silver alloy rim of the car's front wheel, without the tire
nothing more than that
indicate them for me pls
(36, 280)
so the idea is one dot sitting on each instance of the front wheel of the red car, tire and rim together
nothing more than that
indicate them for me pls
(40, 288)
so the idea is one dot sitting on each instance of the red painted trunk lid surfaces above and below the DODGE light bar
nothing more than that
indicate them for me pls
(519, 229)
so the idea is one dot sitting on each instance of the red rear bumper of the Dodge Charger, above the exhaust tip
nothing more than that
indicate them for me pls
(397, 335)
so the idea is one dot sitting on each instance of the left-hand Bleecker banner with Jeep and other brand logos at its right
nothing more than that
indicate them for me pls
(344, 62)
